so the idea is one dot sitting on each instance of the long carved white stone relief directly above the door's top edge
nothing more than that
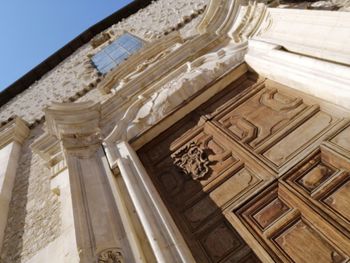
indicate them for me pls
(182, 84)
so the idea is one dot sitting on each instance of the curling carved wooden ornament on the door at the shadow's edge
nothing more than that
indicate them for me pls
(192, 161)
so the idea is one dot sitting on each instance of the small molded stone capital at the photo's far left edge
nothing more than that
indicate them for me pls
(16, 130)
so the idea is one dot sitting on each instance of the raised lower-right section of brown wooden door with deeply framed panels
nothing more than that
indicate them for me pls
(304, 216)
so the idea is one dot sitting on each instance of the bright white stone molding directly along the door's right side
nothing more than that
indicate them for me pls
(323, 79)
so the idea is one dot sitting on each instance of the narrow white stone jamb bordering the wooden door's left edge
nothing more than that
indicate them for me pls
(164, 237)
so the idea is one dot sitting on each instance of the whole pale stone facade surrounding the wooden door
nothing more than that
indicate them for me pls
(81, 193)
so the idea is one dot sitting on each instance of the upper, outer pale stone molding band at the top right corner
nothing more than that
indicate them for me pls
(314, 33)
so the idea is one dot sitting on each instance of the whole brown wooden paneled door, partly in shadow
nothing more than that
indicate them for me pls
(258, 173)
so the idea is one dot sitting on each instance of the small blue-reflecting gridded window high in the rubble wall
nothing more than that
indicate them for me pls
(115, 53)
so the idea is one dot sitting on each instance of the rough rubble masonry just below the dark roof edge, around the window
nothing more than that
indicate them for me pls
(75, 76)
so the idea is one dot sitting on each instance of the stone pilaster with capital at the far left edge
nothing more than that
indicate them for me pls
(11, 137)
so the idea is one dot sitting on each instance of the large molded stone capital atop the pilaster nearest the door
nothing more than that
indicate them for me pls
(76, 125)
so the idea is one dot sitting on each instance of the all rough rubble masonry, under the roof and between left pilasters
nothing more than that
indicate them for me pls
(34, 219)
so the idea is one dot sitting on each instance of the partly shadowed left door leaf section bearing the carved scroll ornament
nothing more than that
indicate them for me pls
(198, 175)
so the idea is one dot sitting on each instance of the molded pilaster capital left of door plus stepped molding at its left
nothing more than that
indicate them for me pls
(72, 127)
